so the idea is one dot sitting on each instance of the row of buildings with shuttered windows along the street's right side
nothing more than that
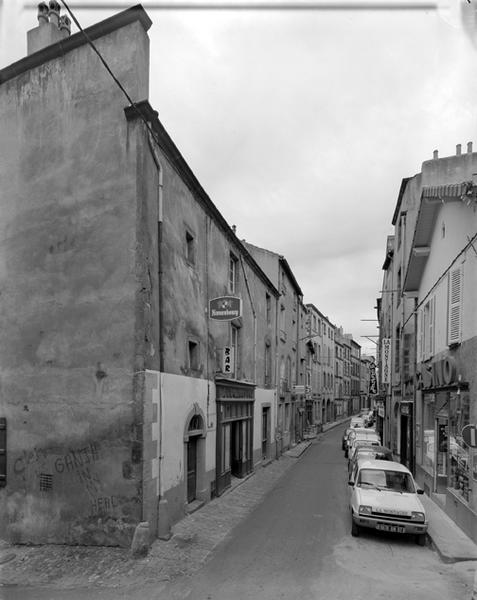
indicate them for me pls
(427, 359)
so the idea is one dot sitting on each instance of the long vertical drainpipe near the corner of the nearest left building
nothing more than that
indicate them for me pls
(164, 525)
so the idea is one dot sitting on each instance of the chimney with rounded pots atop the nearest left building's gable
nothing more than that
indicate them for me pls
(51, 27)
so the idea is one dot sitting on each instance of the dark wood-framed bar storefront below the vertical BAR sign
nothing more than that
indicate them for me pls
(234, 447)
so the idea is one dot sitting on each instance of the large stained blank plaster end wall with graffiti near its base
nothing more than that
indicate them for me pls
(69, 301)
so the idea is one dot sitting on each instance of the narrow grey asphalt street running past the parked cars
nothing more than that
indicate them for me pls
(297, 544)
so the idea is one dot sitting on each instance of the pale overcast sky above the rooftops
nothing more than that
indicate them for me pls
(300, 125)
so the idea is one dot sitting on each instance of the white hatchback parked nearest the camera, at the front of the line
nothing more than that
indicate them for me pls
(384, 497)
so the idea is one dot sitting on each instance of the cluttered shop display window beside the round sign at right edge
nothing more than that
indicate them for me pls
(459, 459)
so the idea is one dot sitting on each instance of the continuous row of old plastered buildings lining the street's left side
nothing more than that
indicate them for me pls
(148, 355)
